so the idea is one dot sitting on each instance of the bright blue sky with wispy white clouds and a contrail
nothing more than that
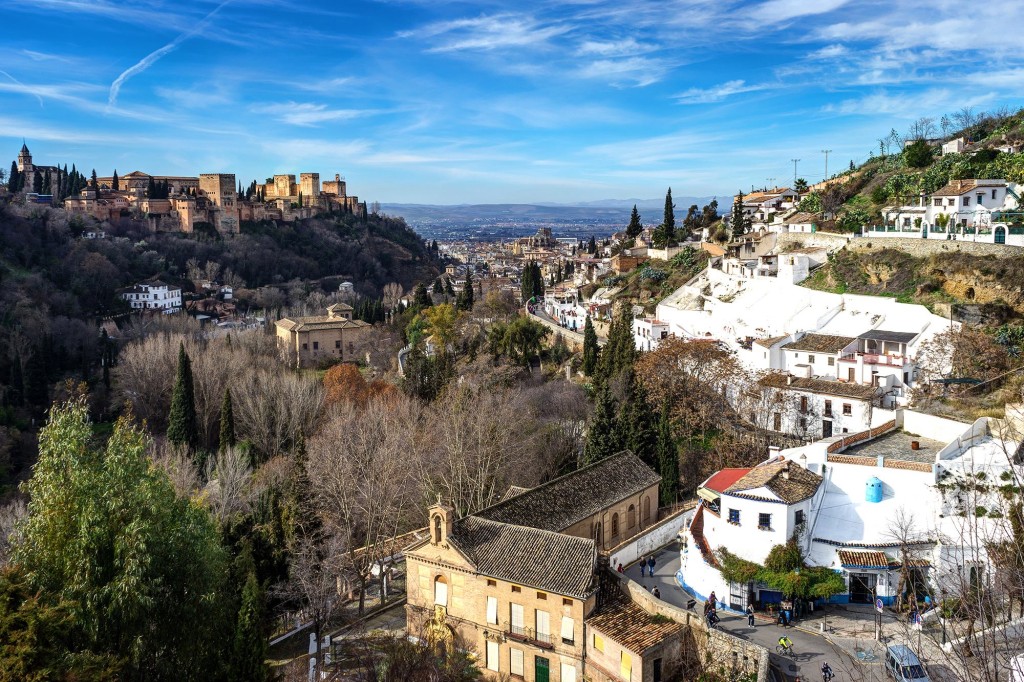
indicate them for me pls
(445, 102)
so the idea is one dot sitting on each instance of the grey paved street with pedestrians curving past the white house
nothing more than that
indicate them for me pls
(858, 659)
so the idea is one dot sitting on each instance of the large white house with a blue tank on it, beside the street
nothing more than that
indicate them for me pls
(916, 490)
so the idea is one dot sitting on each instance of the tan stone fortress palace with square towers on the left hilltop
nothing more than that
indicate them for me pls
(211, 198)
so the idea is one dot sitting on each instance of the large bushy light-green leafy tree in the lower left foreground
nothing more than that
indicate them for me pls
(141, 570)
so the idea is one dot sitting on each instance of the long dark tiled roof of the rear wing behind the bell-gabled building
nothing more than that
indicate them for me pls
(570, 499)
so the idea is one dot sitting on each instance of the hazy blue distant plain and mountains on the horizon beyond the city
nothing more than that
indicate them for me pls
(489, 222)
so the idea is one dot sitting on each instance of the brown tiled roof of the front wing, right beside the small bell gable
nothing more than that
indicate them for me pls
(550, 562)
